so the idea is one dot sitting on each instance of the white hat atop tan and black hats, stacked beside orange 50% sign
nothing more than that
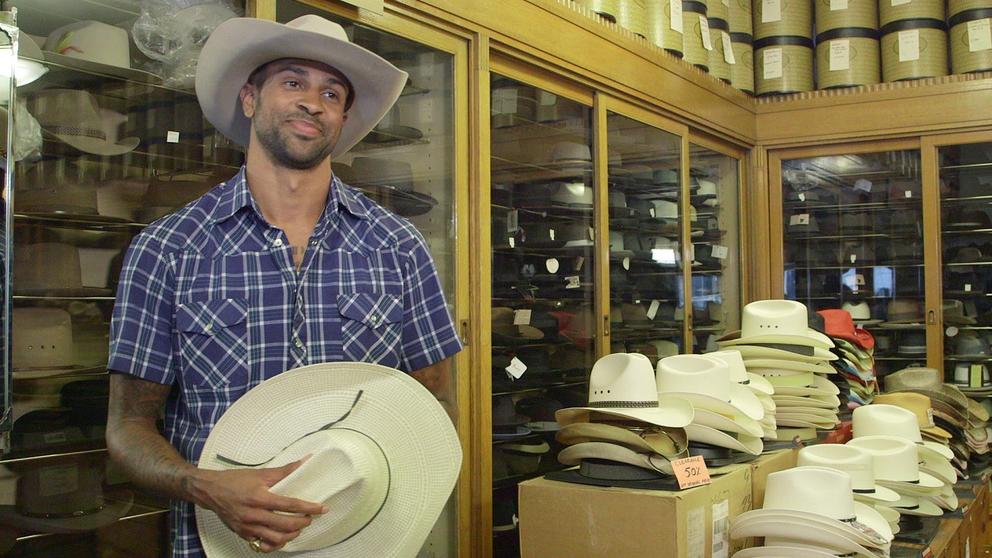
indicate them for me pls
(624, 433)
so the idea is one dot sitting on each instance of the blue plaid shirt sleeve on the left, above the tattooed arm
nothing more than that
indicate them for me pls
(141, 326)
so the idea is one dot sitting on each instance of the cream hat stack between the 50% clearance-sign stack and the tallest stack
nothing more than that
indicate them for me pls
(728, 415)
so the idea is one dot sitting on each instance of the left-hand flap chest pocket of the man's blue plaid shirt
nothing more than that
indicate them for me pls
(213, 343)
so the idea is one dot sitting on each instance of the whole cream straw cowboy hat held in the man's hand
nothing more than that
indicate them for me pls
(384, 457)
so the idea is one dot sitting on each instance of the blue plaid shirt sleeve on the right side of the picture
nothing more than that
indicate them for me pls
(429, 335)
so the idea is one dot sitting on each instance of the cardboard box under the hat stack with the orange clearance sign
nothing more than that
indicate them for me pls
(576, 521)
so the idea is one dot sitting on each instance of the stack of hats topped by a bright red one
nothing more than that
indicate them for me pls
(854, 347)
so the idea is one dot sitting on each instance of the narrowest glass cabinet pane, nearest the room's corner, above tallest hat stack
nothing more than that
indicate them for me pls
(716, 288)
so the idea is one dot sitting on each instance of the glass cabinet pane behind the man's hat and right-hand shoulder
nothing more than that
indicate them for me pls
(407, 164)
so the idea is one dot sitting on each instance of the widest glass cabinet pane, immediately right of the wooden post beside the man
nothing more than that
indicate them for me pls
(543, 309)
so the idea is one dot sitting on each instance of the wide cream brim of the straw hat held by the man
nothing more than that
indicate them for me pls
(404, 419)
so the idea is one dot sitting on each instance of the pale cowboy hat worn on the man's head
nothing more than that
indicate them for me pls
(240, 45)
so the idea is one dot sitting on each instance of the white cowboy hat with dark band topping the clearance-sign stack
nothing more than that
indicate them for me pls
(622, 386)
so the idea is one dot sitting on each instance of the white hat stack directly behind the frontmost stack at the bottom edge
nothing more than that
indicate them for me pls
(857, 463)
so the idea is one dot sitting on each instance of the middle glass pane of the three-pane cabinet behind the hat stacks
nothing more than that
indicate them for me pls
(646, 282)
